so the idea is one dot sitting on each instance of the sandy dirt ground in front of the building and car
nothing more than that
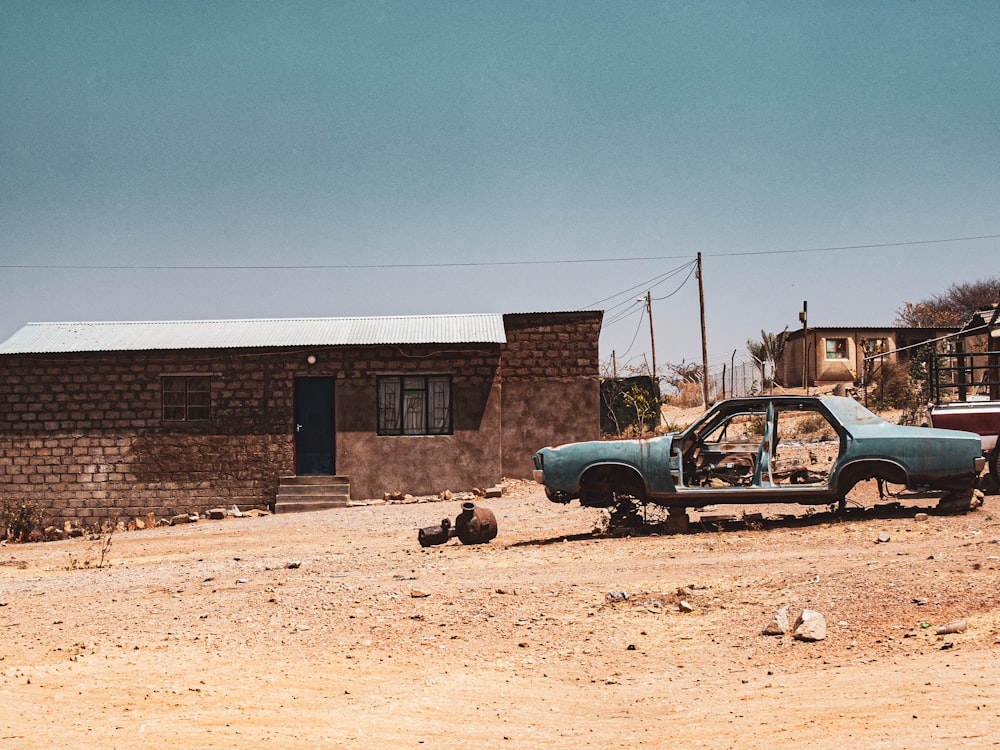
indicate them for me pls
(336, 629)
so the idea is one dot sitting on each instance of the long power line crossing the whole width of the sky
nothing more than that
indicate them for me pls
(470, 264)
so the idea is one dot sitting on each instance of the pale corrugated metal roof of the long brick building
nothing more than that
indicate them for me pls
(52, 338)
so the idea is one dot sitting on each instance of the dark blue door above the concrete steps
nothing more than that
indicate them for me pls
(314, 427)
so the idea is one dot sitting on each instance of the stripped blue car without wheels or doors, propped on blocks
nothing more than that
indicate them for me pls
(771, 449)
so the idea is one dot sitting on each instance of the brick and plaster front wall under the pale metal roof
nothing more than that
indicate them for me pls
(82, 435)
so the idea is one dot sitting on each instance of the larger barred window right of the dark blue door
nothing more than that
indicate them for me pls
(414, 405)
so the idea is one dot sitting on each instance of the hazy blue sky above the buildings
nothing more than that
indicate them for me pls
(220, 160)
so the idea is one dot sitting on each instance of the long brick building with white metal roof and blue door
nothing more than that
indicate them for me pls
(103, 419)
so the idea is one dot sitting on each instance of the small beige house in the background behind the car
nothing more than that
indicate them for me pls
(835, 355)
